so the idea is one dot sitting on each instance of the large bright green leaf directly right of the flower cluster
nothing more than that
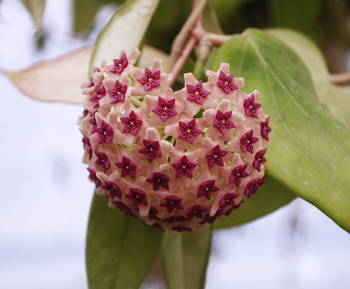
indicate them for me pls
(310, 150)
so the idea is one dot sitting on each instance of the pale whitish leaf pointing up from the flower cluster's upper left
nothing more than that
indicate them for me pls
(124, 30)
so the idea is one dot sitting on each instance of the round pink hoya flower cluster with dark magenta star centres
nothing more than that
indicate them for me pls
(177, 159)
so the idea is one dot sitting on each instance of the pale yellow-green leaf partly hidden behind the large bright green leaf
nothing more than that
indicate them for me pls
(336, 98)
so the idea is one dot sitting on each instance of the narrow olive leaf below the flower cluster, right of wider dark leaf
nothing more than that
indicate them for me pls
(185, 258)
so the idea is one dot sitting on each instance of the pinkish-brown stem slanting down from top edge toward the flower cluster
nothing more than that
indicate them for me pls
(198, 6)
